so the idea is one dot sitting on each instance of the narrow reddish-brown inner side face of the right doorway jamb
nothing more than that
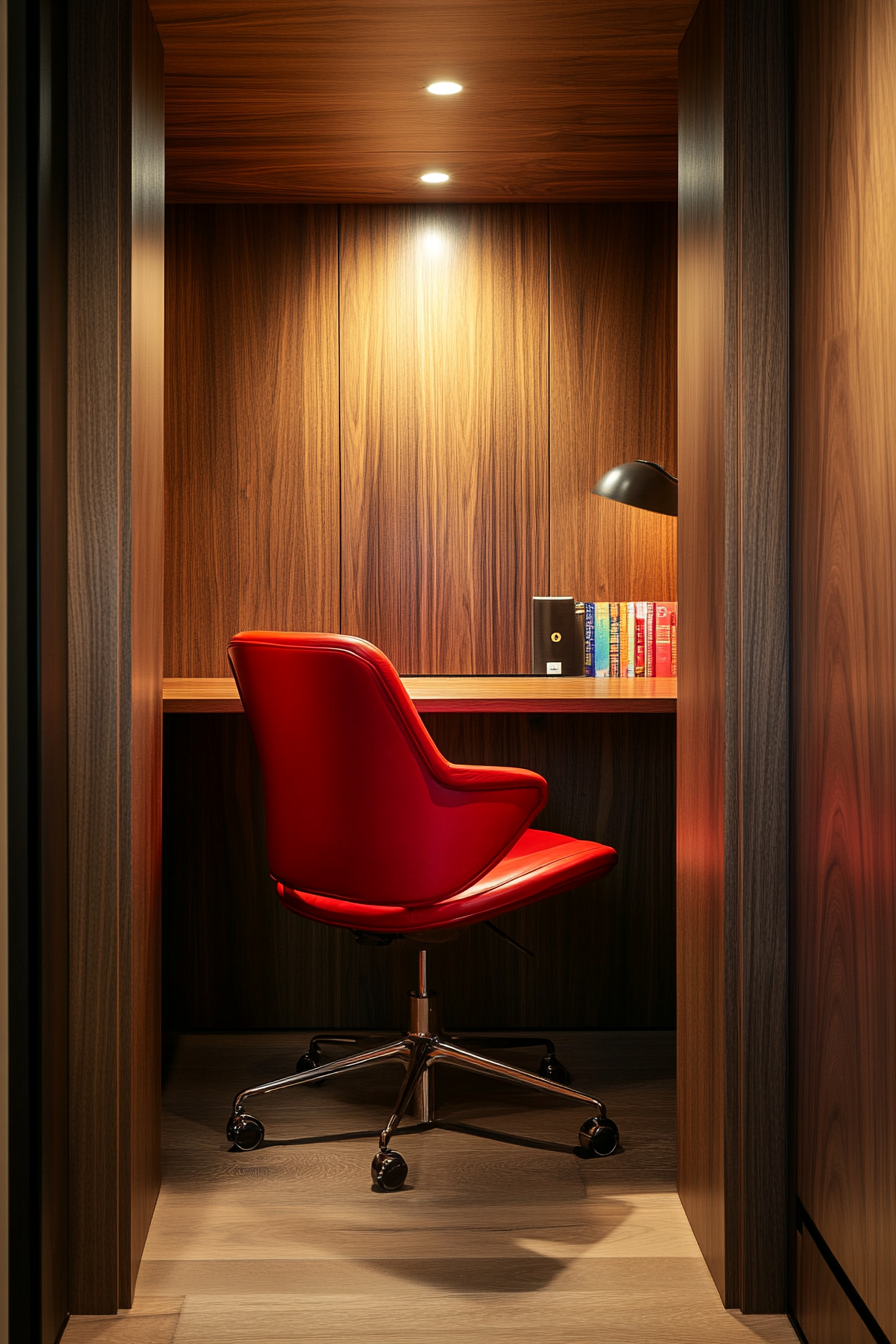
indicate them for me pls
(702, 604)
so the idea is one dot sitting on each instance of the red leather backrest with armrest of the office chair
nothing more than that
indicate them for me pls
(361, 803)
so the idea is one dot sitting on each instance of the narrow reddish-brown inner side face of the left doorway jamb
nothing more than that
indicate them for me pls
(143, 626)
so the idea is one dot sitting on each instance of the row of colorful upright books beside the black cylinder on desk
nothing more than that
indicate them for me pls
(631, 639)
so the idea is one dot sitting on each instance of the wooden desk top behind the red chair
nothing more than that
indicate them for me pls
(468, 696)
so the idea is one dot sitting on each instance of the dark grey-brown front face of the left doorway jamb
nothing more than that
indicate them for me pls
(95, 681)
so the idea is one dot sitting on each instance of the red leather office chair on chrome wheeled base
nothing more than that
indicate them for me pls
(370, 829)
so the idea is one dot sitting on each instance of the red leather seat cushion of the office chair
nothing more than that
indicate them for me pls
(539, 865)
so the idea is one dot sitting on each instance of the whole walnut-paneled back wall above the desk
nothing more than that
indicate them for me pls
(422, 493)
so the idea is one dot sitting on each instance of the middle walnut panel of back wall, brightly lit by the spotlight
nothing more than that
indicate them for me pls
(444, 353)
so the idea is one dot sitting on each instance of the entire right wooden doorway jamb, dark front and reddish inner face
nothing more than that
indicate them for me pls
(734, 646)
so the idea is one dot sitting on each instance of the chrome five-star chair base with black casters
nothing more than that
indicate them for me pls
(420, 1050)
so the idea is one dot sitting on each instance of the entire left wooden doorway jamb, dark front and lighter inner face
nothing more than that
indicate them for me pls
(115, 643)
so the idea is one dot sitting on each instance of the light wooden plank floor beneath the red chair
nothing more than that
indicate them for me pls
(487, 1243)
